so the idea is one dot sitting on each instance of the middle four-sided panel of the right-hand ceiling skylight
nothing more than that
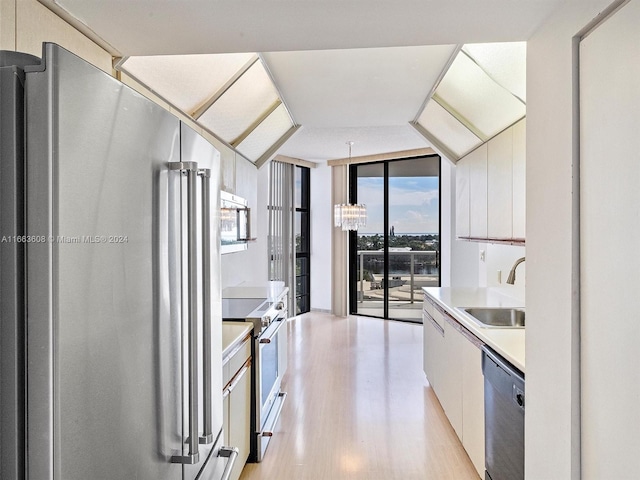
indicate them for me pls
(473, 97)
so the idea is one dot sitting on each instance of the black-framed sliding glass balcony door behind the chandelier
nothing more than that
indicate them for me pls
(398, 252)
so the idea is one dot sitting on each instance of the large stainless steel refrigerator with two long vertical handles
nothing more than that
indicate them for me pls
(110, 281)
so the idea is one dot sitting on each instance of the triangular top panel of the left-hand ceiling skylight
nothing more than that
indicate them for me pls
(186, 81)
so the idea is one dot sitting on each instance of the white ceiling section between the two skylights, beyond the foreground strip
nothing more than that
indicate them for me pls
(357, 87)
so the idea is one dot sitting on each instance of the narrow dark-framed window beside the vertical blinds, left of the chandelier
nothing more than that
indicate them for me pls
(302, 197)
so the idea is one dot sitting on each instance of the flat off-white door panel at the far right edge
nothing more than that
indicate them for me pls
(609, 239)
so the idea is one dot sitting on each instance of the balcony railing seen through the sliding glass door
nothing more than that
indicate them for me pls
(408, 271)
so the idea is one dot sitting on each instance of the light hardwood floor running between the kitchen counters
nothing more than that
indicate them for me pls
(359, 407)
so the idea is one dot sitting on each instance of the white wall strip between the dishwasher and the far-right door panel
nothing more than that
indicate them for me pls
(551, 421)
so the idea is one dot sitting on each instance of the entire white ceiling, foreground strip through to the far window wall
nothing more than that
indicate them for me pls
(330, 60)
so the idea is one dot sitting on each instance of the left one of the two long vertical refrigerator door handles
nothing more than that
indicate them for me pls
(191, 171)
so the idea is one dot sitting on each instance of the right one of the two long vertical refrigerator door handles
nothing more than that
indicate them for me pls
(207, 437)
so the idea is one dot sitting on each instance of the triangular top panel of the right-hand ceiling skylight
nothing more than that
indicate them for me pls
(506, 63)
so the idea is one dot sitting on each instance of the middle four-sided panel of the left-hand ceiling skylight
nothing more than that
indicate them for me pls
(242, 105)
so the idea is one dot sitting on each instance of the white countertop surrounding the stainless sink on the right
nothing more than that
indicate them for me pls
(508, 342)
